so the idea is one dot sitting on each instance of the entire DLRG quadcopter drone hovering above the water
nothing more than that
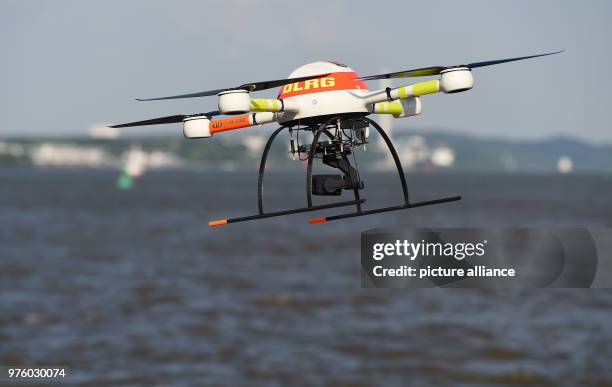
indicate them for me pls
(325, 99)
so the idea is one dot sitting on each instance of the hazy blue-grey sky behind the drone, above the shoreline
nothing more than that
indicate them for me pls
(67, 65)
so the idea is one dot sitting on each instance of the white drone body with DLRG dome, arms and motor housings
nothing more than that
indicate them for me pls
(340, 91)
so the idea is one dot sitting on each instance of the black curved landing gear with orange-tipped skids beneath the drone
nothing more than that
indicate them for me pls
(344, 165)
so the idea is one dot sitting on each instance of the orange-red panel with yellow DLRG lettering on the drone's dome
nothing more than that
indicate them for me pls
(334, 81)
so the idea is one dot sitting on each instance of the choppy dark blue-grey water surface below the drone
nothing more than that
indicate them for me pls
(133, 288)
